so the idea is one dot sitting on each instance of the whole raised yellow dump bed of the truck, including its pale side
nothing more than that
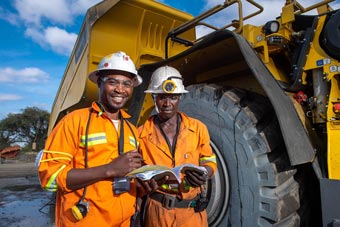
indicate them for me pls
(138, 27)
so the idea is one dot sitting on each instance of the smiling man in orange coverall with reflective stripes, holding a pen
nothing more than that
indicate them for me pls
(89, 152)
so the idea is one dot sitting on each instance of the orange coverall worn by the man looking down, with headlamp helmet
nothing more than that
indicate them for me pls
(192, 147)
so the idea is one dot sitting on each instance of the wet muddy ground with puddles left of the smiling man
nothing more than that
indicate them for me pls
(22, 200)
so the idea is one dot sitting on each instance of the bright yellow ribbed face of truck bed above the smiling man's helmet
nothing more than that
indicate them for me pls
(137, 27)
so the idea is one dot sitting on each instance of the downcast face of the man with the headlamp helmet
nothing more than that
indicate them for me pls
(167, 105)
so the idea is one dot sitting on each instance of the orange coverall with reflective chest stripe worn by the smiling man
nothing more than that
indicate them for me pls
(64, 150)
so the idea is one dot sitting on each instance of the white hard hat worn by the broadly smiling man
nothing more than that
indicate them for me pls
(117, 61)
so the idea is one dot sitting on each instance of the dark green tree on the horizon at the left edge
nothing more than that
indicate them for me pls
(26, 128)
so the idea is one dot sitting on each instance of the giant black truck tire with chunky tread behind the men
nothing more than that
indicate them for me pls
(254, 184)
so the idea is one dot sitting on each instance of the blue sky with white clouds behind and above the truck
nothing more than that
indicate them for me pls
(38, 37)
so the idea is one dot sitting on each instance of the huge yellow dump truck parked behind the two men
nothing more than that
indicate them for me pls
(269, 95)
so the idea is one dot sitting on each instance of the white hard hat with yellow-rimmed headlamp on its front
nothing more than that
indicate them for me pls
(166, 80)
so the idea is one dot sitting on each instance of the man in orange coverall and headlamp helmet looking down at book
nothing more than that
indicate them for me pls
(172, 138)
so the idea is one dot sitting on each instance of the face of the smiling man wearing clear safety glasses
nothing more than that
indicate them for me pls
(115, 90)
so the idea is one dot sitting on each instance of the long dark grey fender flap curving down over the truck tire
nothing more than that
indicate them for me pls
(299, 147)
